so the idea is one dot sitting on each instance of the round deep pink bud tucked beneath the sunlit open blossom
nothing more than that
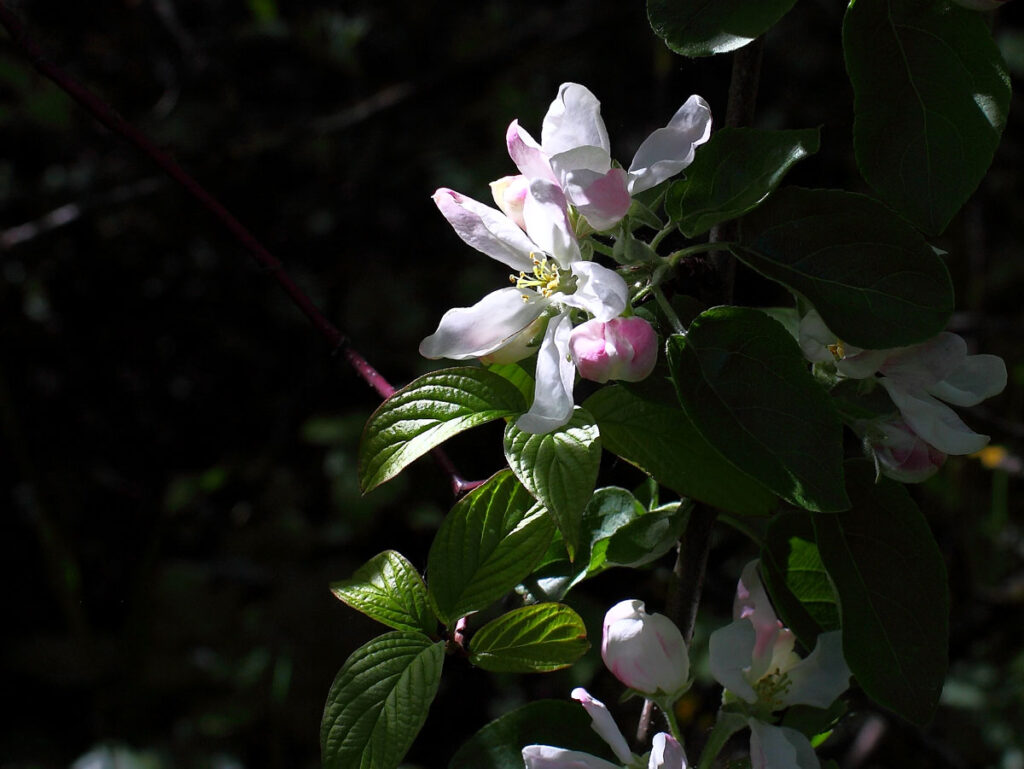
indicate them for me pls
(624, 349)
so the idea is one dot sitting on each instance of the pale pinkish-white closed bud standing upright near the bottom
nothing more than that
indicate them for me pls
(645, 652)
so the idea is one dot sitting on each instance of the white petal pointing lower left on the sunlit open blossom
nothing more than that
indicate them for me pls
(488, 326)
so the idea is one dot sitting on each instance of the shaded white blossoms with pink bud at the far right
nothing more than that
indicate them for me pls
(921, 381)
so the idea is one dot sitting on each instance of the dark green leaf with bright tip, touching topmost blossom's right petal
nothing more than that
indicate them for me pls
(734, 174)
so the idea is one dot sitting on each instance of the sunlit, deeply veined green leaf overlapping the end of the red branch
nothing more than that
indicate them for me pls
(426, 413)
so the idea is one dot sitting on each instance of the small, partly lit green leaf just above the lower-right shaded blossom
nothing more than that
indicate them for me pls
(797, 579)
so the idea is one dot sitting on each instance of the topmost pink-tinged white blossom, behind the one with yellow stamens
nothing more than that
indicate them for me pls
(575, 153)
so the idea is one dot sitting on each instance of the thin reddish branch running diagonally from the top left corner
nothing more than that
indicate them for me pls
(108, 117)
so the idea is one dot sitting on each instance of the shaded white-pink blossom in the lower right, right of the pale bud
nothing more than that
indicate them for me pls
(754, 660)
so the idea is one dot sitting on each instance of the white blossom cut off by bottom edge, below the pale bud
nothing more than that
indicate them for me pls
(666, 752)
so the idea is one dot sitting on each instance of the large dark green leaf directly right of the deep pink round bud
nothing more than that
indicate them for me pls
(744, 382)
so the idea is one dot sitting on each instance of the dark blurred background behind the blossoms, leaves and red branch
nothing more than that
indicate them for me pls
(178, 445)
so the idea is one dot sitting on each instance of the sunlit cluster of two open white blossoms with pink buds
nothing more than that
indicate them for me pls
(568, 175)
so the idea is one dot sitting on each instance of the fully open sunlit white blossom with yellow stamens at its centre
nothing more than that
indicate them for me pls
(551, 279)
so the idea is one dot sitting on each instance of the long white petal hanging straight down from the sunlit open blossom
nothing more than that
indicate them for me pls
(556, 374)
